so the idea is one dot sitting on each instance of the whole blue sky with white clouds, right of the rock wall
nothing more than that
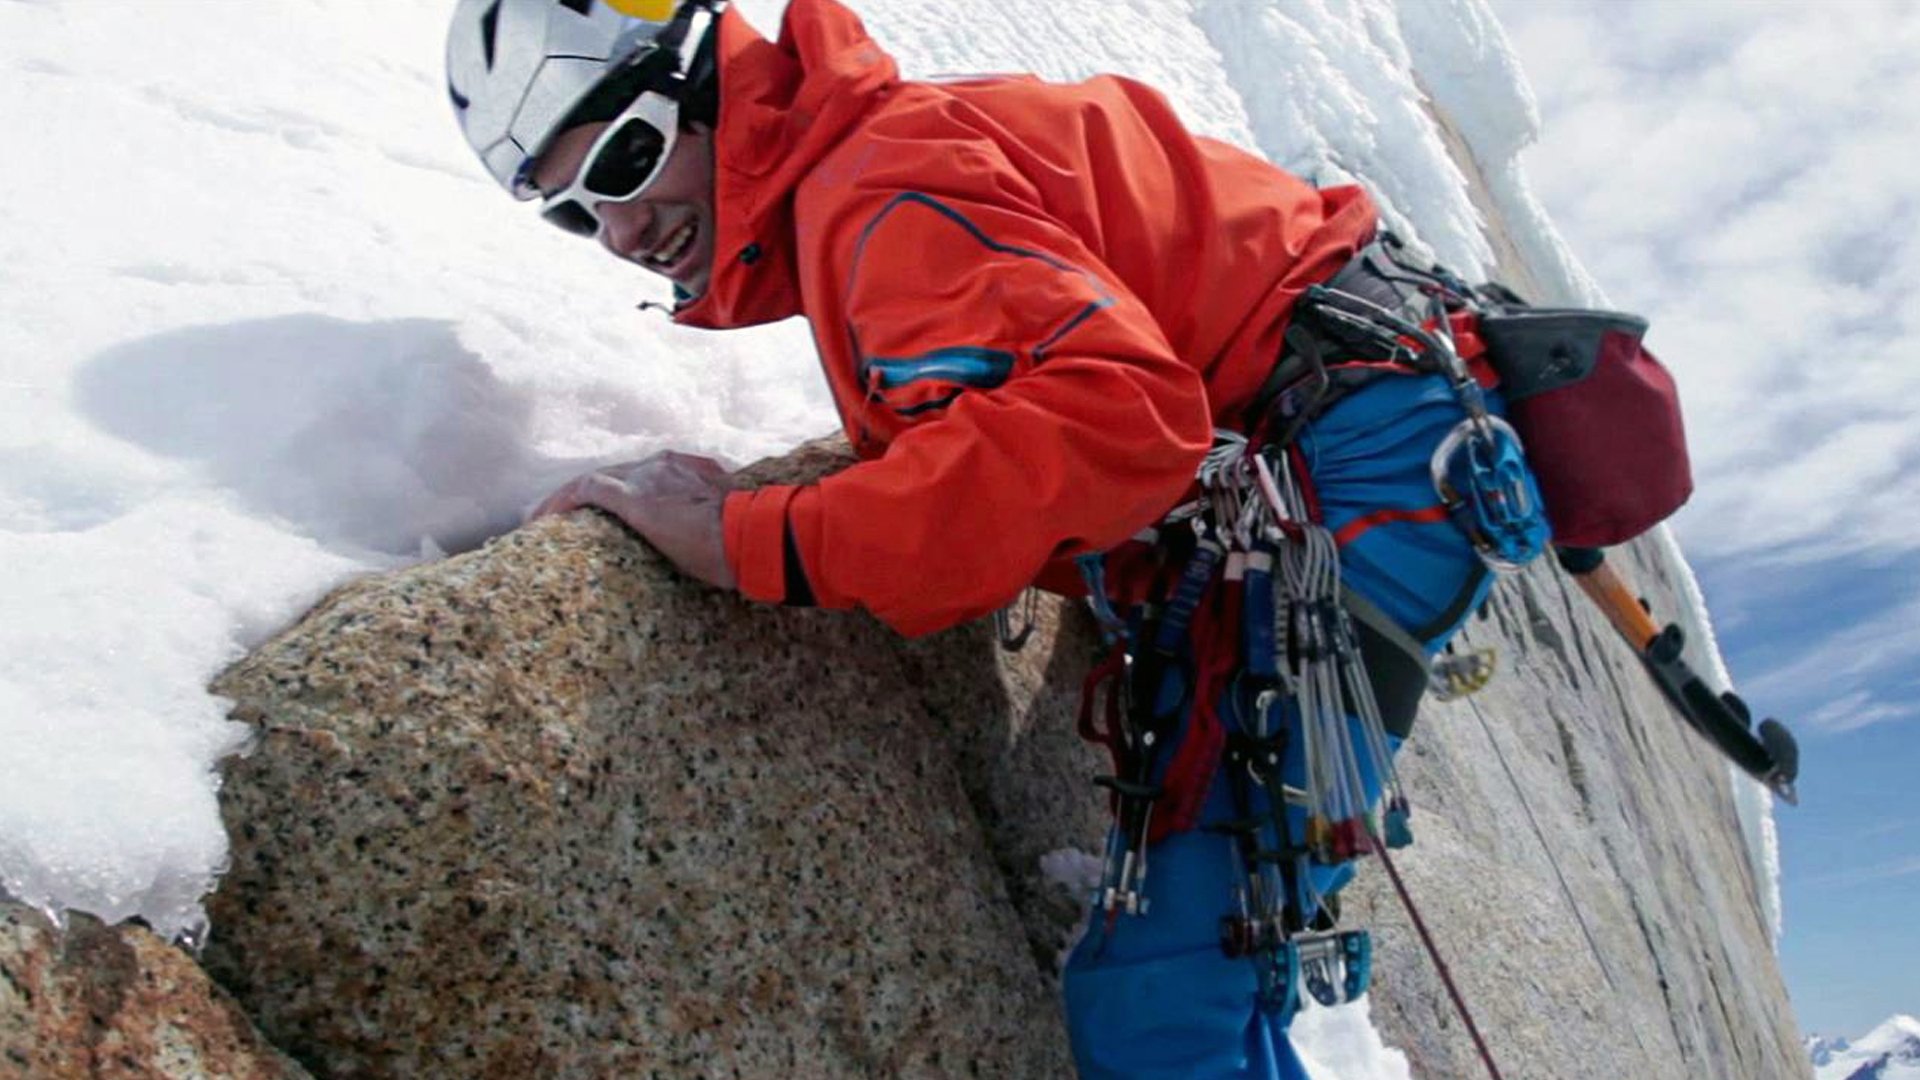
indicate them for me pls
(1740, 174)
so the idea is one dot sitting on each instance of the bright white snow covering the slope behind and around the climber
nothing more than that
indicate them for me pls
(266, 326)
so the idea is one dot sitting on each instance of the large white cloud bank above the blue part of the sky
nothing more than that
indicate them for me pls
(1740, 174)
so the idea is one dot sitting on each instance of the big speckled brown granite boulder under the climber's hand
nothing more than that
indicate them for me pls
(546, 810)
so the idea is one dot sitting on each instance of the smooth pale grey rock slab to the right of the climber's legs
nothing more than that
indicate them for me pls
(1581, 866)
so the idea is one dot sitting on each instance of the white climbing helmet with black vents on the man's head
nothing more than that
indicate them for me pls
(519, 72)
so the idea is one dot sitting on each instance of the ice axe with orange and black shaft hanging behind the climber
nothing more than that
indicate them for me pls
(1767, 754)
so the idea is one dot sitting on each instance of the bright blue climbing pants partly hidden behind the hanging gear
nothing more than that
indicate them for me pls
(1157, 996)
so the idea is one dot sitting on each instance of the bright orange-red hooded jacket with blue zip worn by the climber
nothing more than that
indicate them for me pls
(1034, 305)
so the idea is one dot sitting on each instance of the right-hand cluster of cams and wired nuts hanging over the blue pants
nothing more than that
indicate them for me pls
(1301, 664)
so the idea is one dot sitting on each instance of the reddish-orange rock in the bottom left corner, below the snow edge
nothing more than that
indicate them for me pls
(99, 1002)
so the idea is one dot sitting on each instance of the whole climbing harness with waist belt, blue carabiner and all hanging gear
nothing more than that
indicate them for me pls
(1249, 649)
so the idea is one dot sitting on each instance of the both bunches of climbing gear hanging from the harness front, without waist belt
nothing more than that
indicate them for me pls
(1276, 574)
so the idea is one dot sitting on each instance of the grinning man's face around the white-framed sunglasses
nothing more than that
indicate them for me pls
(669, 228)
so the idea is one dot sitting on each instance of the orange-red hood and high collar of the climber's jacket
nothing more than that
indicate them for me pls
(782, 109)
